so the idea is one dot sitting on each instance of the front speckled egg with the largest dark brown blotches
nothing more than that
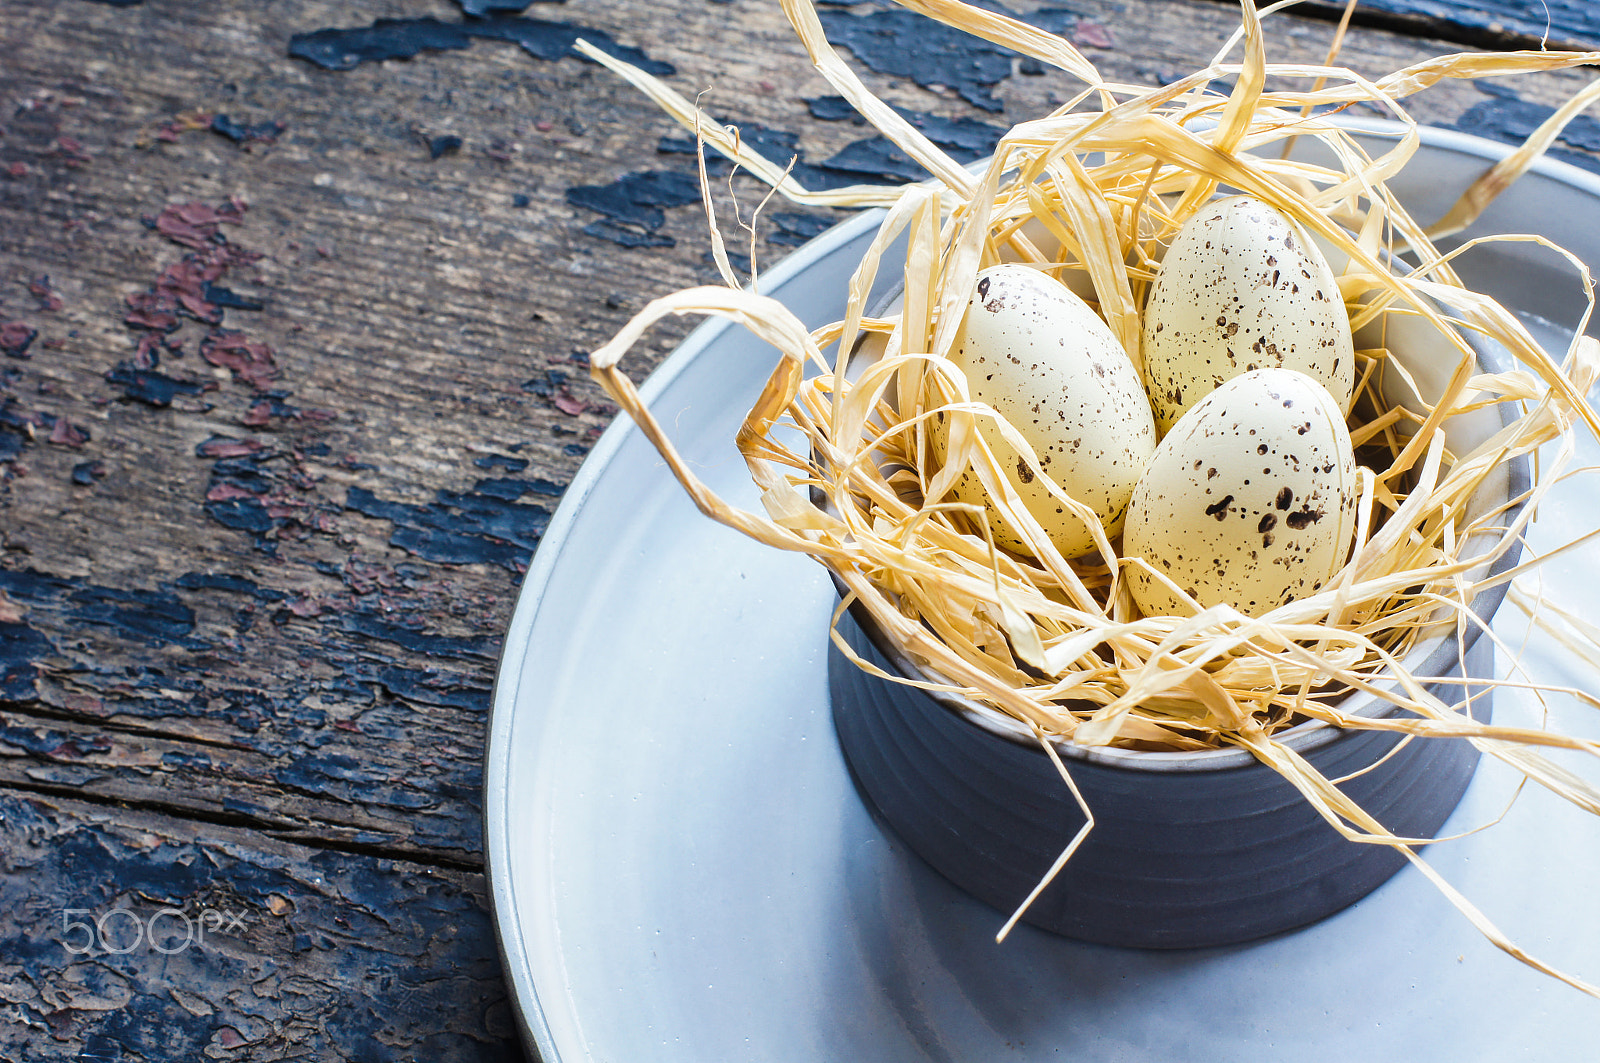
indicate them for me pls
(1250, 500)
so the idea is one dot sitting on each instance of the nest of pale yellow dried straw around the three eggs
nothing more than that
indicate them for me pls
(1100, 187)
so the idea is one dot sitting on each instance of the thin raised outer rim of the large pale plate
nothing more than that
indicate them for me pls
(514, 957)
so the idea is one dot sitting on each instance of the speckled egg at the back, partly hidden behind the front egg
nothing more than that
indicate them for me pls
(1242, 287)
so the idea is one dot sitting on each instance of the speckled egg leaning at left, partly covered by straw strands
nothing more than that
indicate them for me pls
(1052, 367)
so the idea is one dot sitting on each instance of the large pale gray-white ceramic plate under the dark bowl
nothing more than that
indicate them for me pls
(682, 870)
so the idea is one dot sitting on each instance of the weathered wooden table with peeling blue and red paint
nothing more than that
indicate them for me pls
(294, 329)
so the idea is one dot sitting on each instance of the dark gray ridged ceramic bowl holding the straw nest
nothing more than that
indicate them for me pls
(1190, 849)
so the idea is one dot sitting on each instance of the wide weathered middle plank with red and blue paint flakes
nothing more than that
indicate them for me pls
(295, 590)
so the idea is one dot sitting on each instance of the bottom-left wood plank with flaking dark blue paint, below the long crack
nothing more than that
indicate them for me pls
(230, 945)
